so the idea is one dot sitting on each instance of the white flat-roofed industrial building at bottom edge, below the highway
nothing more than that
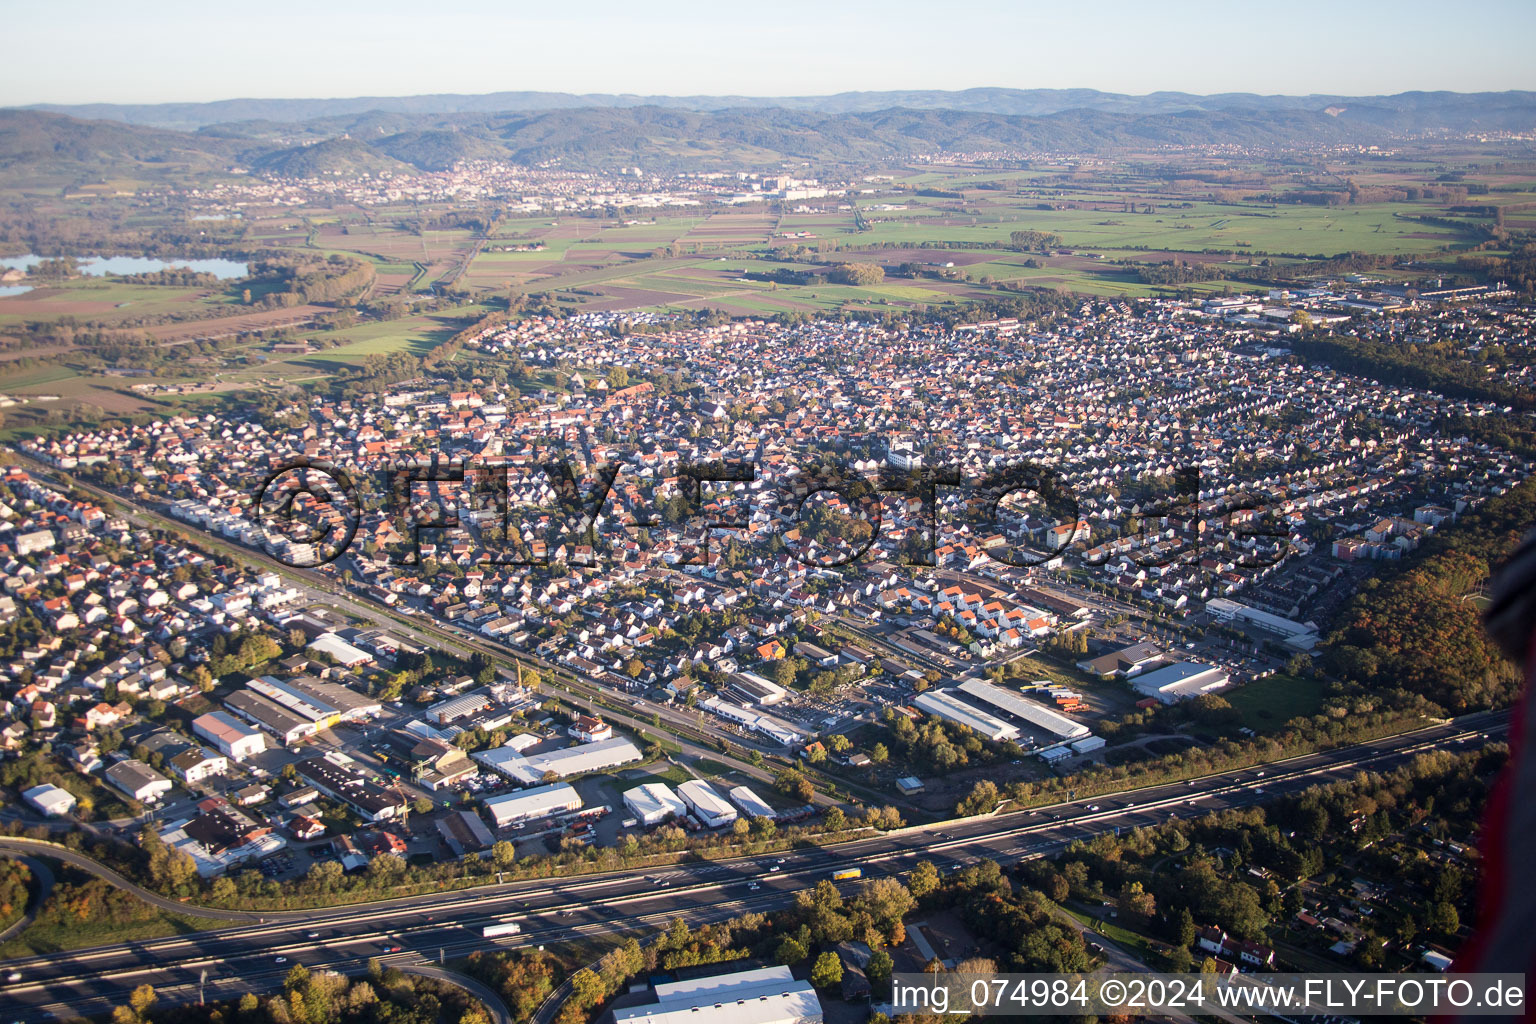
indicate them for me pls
(767, 996)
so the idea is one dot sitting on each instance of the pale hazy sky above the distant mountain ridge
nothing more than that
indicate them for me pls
(187, 51)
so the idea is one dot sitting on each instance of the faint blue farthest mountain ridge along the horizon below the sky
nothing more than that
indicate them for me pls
(1431, 110)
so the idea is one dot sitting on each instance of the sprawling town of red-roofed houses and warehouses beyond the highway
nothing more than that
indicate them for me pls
(738, 618)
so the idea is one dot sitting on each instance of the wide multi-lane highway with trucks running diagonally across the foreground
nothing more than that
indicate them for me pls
(429, 928)
